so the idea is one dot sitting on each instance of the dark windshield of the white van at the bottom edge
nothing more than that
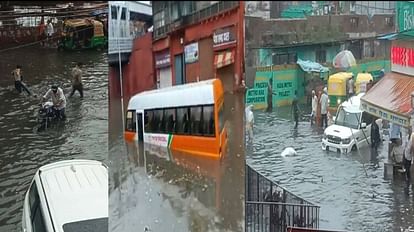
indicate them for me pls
(91, 225)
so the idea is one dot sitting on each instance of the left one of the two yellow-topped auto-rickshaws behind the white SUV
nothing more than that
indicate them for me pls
(337, 88)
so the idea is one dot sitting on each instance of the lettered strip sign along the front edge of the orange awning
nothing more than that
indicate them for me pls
(385, 114)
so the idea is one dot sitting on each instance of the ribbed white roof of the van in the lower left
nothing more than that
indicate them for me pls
(76, 191)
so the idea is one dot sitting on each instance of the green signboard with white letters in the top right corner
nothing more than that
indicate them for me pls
(405, 15)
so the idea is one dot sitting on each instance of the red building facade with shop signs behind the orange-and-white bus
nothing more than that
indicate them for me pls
(198, 40)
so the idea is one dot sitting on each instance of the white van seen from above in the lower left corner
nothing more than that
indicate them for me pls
(65, 196)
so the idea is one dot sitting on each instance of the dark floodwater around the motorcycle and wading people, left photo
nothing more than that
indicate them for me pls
(22, 150)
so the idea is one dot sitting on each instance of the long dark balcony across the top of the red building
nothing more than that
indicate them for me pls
(195, 17)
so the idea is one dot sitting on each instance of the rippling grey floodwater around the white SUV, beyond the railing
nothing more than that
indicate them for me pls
(350, 189)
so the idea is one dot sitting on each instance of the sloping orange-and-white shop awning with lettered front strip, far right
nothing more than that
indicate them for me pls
(390, 98)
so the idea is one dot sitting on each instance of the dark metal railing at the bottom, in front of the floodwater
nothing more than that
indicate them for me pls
(272, 208)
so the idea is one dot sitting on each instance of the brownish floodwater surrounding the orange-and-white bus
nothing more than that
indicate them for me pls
(154, 189)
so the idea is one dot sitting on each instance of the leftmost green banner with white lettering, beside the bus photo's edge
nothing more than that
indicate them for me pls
(257, 96)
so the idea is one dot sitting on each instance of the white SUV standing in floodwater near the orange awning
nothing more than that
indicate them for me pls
(351, 128)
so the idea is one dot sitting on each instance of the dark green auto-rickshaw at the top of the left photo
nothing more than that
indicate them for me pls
(82, 34)
